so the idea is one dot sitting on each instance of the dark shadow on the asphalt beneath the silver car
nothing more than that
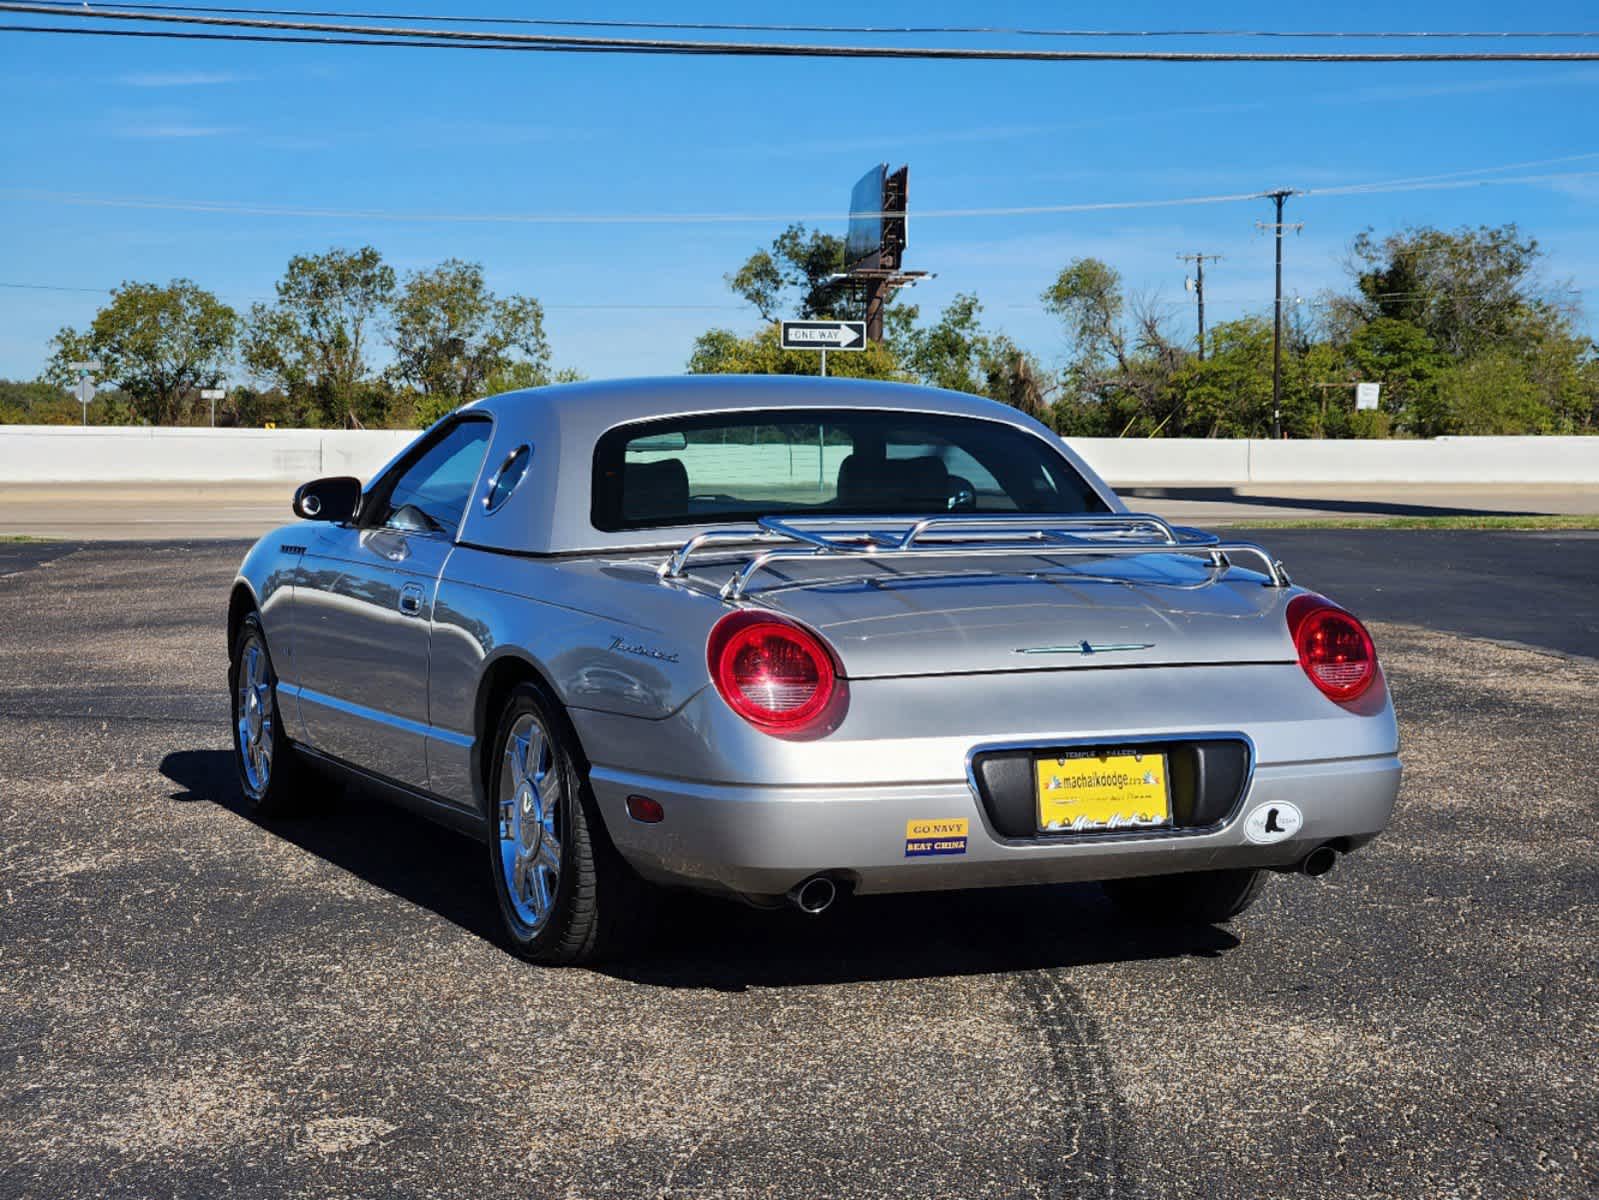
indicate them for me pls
(709, 943)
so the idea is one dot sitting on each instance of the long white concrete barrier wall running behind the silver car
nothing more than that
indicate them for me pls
(124, 455)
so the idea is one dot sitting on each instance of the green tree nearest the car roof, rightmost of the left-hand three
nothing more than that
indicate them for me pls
(452, 335)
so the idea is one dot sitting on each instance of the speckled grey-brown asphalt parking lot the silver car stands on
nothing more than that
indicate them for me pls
(193, 1004)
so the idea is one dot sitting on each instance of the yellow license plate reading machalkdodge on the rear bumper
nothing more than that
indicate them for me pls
(1091, 791)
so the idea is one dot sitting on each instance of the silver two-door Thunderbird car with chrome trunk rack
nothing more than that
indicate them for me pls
(789, 639)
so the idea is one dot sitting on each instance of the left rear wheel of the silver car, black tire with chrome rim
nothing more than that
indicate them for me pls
(565, 895)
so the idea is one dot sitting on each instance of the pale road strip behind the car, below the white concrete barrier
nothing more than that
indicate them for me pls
(165, 511)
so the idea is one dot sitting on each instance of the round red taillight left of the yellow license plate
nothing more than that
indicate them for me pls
(775, 674)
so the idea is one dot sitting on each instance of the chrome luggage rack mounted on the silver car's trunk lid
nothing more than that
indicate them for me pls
(879, 538)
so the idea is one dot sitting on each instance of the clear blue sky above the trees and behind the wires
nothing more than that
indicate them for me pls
(431, 132)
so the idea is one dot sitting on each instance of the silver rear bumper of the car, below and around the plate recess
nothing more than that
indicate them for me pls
(764, 841)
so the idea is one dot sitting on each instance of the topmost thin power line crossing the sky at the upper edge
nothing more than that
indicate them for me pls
(757, 28)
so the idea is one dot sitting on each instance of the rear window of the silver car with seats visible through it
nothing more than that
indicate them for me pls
(741, 466)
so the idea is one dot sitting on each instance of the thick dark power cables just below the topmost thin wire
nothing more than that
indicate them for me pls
(436, 39)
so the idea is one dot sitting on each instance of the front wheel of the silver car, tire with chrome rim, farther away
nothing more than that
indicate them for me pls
(271, 777)
